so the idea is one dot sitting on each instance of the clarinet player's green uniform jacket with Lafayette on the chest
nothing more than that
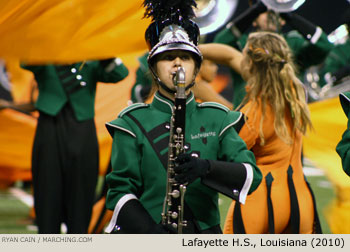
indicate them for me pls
(140, 172)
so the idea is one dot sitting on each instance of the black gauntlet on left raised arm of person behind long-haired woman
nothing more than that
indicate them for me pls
(244, 20)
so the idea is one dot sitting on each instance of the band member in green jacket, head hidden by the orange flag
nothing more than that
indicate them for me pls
(65, 157)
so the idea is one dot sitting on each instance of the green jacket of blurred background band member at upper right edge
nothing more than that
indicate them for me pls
(336, 59)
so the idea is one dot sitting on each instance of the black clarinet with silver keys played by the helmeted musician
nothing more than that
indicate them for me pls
(173, 207)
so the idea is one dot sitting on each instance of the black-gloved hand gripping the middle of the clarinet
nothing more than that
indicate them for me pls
(189, 168)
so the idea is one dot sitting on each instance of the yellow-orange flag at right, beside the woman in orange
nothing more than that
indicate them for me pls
(330, 122)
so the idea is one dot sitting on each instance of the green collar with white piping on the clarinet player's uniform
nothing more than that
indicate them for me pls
(164, 104)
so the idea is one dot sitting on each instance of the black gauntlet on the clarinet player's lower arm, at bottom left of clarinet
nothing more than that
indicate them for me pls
(133, 218)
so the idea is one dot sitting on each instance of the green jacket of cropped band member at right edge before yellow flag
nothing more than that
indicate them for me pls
(343, 147)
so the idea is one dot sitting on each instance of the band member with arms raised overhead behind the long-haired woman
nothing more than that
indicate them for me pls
(307, 41)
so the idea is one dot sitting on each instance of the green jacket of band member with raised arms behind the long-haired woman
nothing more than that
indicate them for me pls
(306, 53)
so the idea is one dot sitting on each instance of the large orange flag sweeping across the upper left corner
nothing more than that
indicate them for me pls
(62, 31)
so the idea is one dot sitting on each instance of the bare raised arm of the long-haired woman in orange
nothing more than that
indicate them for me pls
(222, 54)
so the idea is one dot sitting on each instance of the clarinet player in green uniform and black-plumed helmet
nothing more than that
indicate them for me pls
(215, 158)
